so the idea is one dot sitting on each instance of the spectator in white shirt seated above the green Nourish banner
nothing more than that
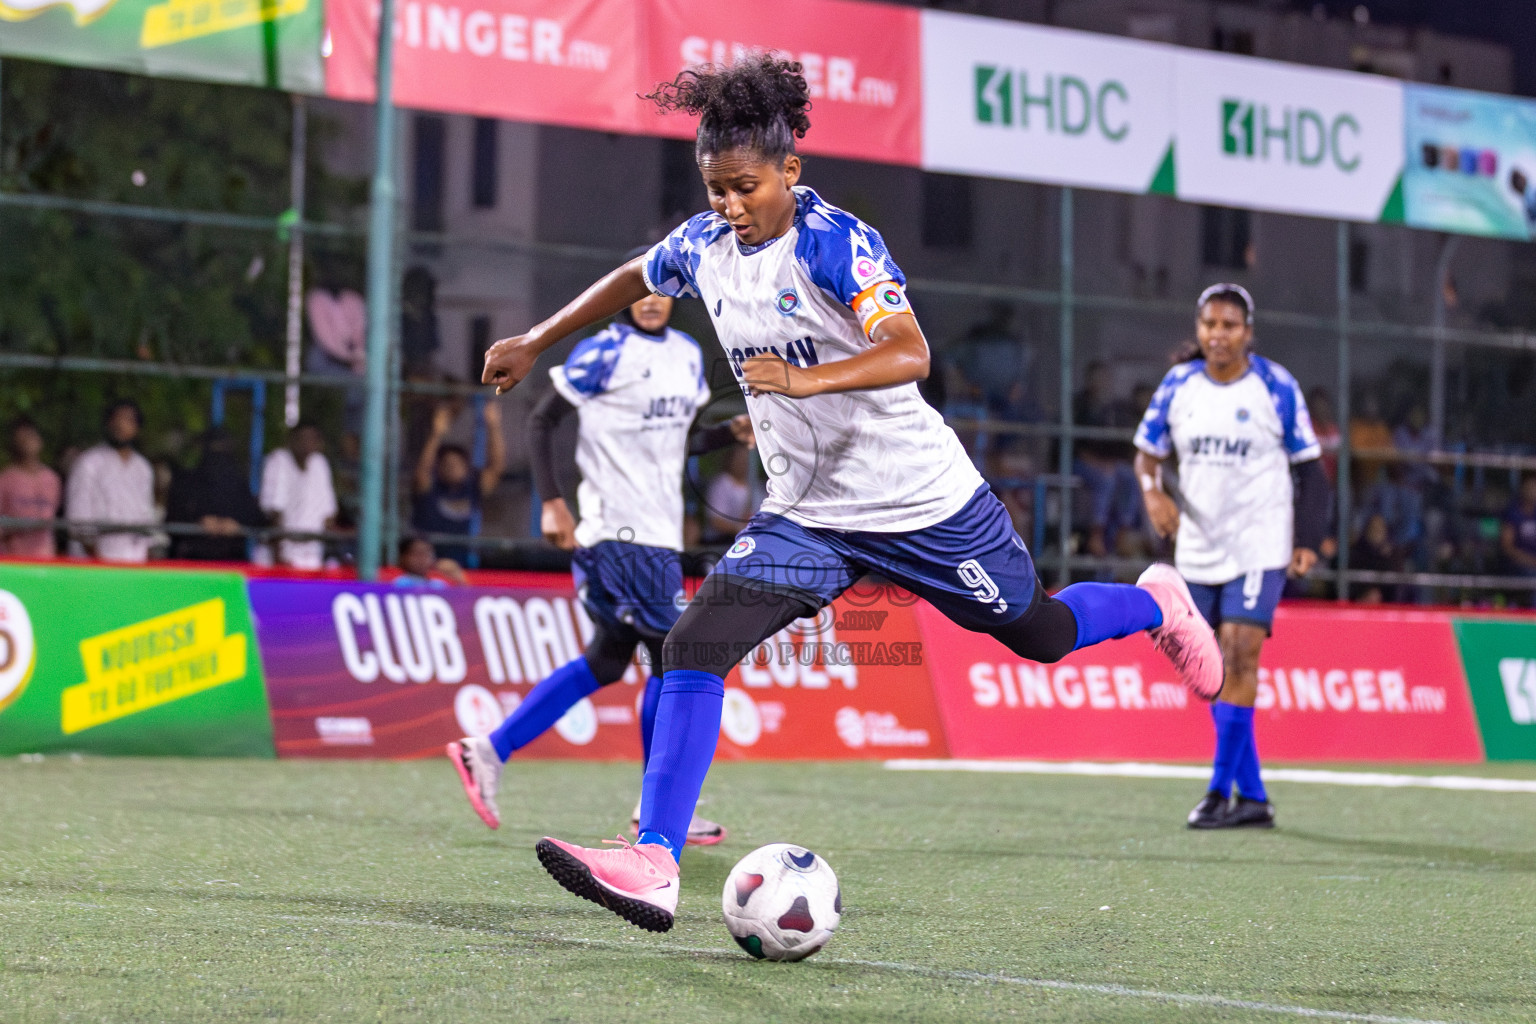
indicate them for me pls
(113, 483)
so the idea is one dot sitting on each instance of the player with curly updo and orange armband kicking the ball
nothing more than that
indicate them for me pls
(862, 474)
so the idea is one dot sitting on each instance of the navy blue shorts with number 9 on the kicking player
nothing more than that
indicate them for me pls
(972, 567)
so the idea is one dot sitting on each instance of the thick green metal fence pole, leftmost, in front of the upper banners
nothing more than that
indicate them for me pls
(382, 302)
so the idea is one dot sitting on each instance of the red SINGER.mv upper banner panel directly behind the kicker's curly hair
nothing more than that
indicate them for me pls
(862, 64)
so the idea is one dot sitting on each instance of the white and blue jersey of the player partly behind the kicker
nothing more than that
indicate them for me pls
(637, 395)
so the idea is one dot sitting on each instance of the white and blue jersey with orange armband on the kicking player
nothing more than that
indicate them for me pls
(878, 461)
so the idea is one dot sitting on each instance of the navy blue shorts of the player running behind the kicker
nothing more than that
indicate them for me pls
(631, 586)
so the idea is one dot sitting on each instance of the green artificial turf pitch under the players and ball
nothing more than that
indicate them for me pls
(210, 891)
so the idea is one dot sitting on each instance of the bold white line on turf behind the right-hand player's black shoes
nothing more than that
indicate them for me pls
(1140, 770)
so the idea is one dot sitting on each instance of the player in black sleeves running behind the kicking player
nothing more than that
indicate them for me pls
(635, 388)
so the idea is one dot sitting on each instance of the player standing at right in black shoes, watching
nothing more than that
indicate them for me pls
(1240, 428)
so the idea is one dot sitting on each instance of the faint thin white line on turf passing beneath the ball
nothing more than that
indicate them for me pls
(635, 948)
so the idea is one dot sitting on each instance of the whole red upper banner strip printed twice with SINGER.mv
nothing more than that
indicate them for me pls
(584, 62)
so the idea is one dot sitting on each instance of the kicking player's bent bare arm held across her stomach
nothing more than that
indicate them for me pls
(899, 357)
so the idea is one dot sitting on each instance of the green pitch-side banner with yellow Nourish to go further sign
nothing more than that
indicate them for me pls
(130, 662)
